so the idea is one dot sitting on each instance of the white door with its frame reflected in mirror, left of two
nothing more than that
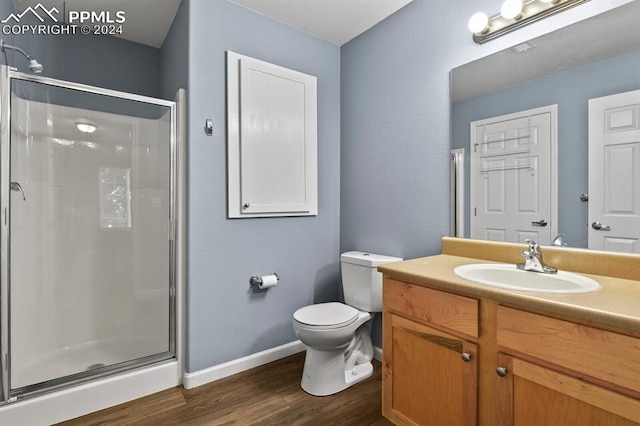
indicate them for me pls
(513, 176)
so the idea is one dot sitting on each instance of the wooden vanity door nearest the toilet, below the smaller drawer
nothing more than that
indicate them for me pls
(425, 379)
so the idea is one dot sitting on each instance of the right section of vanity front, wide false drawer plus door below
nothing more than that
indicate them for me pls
(557, 372)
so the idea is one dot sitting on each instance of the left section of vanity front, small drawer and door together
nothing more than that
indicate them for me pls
(430, 356)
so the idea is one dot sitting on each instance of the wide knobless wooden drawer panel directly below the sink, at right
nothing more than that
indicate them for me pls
(601, 354)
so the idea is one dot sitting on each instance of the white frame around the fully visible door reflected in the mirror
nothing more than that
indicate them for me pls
(553, 158)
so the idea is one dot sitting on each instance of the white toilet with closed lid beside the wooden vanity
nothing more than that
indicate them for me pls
(338, 335)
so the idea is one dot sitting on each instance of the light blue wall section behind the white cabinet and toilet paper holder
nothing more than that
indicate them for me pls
(225, 318)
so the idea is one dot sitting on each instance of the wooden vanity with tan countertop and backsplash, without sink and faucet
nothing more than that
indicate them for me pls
(456, 352)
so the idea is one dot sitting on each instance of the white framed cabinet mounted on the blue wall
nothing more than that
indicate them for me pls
(272, 140)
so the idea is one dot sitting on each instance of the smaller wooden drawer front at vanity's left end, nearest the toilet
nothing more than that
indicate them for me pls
(457, 313)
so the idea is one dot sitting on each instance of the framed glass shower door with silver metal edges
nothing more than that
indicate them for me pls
(87, 233)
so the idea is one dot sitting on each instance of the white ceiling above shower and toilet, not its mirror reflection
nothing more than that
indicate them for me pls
(148, 21)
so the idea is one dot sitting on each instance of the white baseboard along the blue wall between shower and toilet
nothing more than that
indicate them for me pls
(220, 371)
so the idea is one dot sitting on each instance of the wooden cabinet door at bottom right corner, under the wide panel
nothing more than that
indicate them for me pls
(531, 394)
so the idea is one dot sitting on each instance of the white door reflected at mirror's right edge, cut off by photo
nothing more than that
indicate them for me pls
(614, 173)
